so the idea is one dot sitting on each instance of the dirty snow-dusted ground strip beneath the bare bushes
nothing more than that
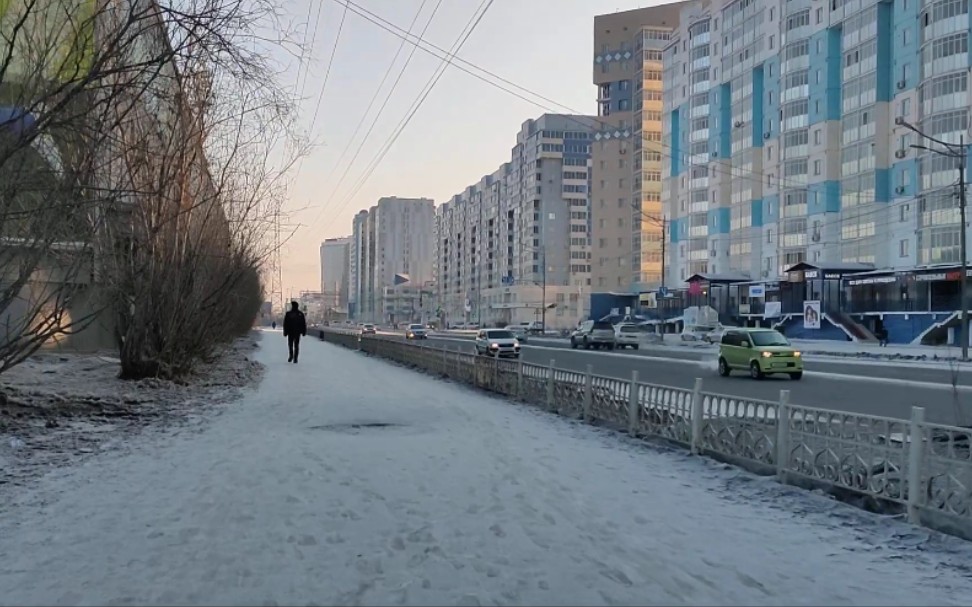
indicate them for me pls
(55, 408)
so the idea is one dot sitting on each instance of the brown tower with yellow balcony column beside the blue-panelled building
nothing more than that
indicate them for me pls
(628, 225)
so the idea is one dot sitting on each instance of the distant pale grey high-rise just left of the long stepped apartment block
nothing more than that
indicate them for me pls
(391, 244)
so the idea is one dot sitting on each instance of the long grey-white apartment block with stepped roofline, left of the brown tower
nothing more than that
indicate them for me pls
(518, 242)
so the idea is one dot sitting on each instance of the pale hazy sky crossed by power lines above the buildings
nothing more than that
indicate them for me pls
(464, 129)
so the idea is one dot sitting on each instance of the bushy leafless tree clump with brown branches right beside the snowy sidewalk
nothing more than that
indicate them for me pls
(186, 278)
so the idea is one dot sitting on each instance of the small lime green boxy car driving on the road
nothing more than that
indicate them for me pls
(759, 351)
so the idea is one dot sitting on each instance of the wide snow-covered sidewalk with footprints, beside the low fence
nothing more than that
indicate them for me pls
(346, 480)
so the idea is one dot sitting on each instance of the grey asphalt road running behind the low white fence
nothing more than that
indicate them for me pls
(873, 388)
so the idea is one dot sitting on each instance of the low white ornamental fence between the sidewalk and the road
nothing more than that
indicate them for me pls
(865, 454)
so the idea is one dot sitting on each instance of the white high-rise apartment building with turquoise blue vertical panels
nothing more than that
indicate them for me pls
(787, 126)
